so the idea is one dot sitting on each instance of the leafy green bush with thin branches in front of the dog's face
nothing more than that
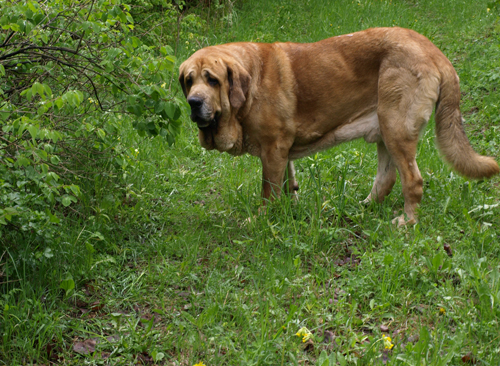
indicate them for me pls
(72, 75)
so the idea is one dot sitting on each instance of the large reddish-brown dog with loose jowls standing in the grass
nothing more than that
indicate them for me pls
(283, 101)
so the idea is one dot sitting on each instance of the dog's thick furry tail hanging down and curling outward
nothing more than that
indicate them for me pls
(451, 139)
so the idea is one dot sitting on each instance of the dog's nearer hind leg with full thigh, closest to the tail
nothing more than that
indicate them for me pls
(406, 101)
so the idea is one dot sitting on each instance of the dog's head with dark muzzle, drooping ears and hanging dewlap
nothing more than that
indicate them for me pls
(216, 87)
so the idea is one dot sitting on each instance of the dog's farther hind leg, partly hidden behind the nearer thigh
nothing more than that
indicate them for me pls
(386, 176)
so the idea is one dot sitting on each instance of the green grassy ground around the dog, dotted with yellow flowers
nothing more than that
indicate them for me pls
(175, 274)
